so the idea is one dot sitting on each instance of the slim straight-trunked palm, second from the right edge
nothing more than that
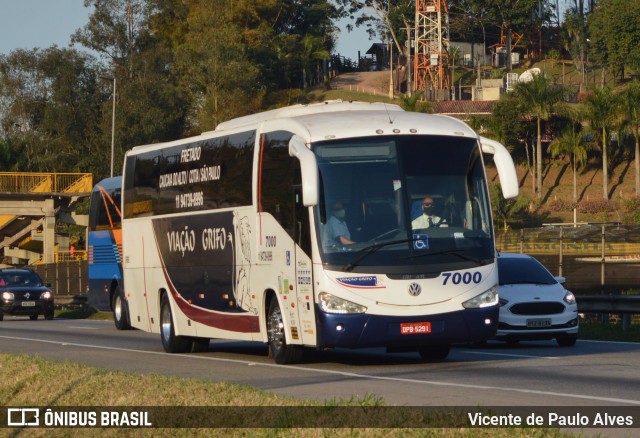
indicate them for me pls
(600, 111)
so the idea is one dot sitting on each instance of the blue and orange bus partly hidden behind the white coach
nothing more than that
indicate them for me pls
(105, 290)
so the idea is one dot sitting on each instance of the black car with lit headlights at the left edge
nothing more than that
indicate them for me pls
(24, 293)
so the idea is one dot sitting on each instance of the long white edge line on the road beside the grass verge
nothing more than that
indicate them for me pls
(343, 373)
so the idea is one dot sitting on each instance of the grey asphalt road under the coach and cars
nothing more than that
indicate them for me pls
(530, 374)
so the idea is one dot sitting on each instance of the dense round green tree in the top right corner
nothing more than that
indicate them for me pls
(614, 31)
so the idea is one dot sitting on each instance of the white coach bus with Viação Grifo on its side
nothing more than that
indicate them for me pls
(229, 234)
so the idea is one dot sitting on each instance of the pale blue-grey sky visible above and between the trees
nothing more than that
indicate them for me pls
(26, 24)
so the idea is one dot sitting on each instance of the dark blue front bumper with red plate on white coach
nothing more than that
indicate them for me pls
(364, 330)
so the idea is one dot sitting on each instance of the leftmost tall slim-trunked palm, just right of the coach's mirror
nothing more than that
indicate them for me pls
(539, 96)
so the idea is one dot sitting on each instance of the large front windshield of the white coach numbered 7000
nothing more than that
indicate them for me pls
(403, 205)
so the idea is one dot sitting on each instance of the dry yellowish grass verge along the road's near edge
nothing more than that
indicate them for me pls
(55, 384)
